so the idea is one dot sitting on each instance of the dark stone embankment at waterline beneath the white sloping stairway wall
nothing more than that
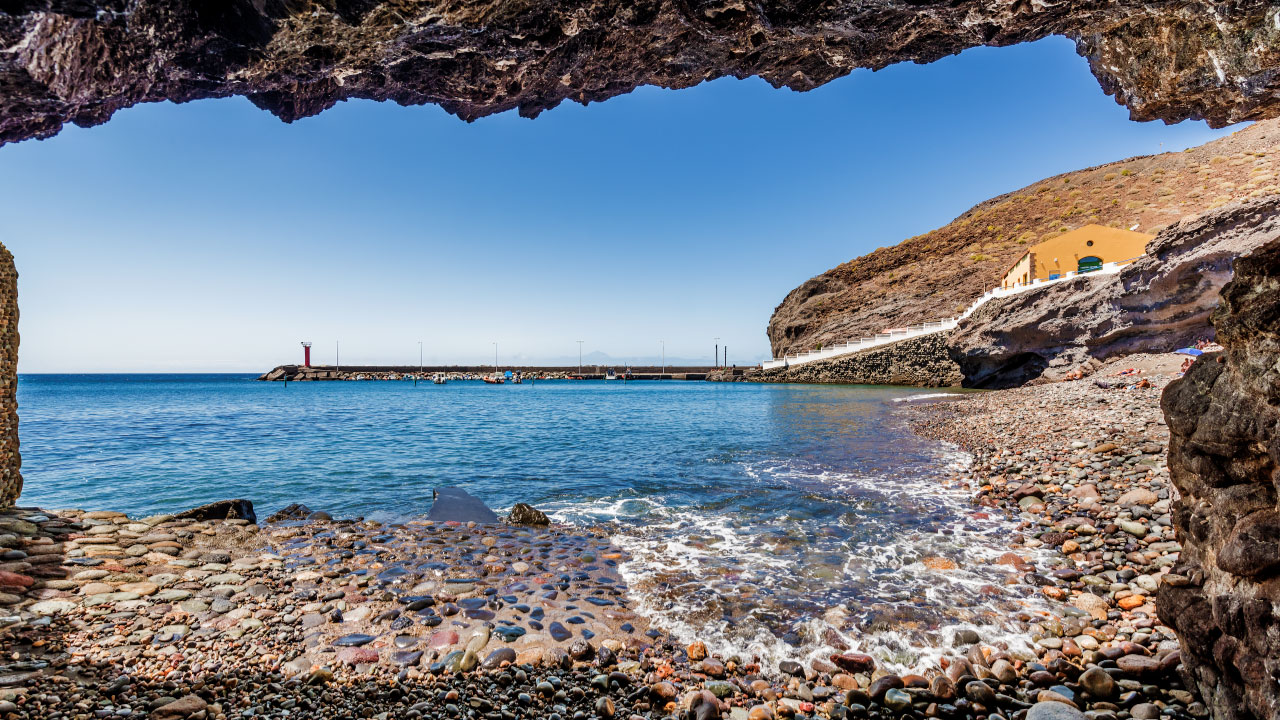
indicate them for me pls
(921, 362)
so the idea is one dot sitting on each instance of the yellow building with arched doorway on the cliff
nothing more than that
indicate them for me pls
(1078, 252)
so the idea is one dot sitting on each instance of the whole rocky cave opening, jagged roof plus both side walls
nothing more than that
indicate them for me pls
(81, 61)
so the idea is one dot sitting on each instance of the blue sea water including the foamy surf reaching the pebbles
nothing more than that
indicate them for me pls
(769, 521)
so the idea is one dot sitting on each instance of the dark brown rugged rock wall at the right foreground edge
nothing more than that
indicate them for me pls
(1224, 457)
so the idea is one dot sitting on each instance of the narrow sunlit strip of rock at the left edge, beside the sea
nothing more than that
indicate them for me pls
(11, 459)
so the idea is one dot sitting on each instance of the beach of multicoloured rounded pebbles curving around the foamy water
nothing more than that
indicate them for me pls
(308, 617)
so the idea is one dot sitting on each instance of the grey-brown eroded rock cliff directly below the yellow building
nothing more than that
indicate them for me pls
(1158, 304)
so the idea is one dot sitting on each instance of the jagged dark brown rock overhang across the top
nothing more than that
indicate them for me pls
(81, 61)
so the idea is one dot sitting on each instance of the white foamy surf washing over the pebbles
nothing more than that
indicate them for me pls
(757, 590)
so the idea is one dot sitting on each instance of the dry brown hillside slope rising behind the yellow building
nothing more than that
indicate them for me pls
(939, 274)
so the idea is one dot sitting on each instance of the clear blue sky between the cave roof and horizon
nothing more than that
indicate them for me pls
(211, 236)
